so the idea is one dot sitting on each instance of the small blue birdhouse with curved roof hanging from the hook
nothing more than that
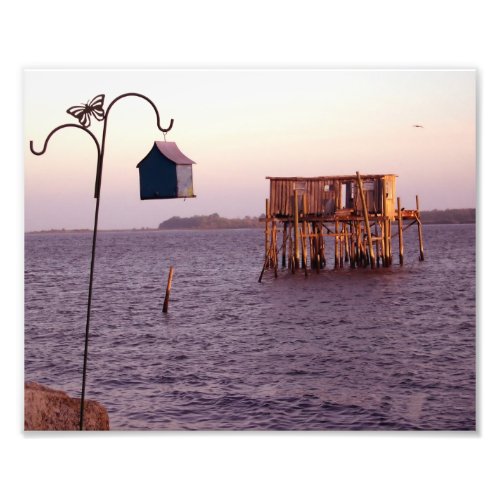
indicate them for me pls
(166, 172)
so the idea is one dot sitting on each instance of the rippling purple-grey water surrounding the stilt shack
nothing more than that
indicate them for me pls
(351, 349)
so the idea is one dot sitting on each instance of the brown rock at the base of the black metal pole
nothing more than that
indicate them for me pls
(47, 409)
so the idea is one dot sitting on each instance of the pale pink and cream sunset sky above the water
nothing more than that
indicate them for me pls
(240, 126)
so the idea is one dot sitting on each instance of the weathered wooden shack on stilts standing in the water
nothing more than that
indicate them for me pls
(356, 211)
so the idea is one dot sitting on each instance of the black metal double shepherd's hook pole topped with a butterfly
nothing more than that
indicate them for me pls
(94, 108)
